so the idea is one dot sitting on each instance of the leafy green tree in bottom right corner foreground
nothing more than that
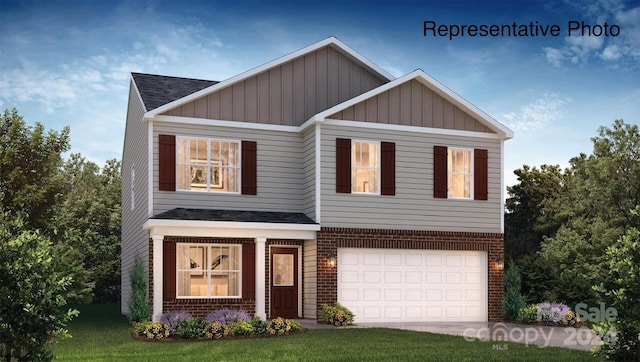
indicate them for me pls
(623, 293)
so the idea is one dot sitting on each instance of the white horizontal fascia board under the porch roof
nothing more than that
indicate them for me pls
(195, 228)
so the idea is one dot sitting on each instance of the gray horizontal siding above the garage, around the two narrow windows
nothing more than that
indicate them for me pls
(413, 207)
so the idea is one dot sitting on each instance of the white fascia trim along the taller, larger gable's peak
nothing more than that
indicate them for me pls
(274, 63)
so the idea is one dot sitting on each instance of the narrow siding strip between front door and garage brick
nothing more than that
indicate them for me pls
(310, 277)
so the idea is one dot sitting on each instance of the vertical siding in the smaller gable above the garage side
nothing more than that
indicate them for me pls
(411, 104)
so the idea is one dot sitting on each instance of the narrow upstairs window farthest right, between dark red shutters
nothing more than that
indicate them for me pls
(460, 174)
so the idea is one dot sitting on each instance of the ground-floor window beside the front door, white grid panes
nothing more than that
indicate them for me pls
(209, 270)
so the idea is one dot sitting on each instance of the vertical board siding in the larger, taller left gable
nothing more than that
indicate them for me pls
(288, 94)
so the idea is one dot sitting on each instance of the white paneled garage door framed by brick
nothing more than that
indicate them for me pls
(413, 285)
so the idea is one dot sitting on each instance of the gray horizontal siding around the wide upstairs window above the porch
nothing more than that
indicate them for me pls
(280, 171)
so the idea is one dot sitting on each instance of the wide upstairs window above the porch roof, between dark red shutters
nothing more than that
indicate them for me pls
(208, 165)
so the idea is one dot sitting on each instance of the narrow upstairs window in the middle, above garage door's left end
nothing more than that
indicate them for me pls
(365, 167)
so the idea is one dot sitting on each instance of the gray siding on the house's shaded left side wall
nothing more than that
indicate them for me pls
(135, 240)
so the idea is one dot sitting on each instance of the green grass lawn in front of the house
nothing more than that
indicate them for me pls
(100, 333)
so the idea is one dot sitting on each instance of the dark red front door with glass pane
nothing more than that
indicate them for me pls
(284, 282)
